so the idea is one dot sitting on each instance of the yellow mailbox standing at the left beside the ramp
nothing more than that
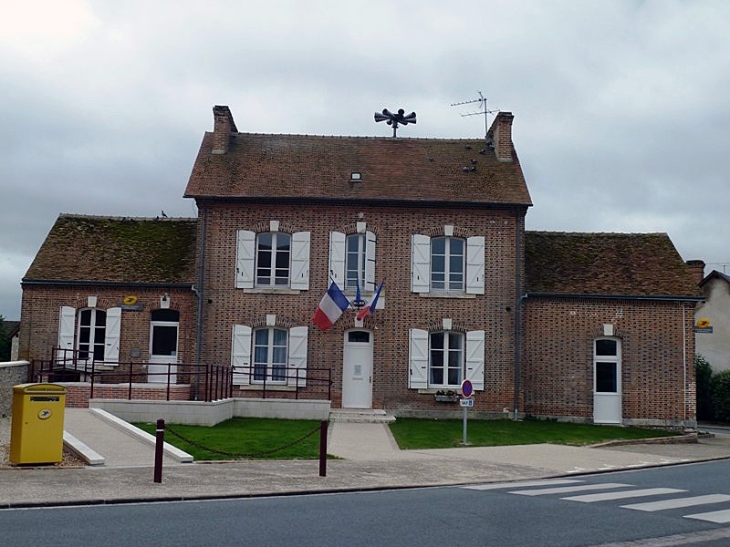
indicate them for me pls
(36, 434)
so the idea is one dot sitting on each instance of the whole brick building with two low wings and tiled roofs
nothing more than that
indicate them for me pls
(591, 327)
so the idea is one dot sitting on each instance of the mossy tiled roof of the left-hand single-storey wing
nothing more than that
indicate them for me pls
(106, 249)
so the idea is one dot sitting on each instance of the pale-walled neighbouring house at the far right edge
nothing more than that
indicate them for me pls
(712, 321)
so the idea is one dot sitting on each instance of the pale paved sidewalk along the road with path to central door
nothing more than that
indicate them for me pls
(369, 459)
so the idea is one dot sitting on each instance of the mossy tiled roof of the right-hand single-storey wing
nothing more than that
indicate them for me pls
(606, 264)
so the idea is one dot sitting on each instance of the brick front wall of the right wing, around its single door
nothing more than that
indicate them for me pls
(657, 344)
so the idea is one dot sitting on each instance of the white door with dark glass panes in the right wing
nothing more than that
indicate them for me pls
(607, 382)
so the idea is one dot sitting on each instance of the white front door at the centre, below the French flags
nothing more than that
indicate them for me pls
(357, 370)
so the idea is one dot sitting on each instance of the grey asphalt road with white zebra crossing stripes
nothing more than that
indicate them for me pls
(603, 509)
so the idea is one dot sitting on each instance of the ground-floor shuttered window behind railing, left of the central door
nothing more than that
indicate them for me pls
(272, 354)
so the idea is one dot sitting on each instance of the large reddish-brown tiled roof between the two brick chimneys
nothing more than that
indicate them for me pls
(303, 166)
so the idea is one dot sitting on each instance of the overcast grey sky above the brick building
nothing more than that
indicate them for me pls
(622, 108)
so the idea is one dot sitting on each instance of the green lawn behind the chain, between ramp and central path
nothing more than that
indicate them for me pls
(247, 438)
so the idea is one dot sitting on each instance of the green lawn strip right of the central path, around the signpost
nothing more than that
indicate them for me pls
(412, 433)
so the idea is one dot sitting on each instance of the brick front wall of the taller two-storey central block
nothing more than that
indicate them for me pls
(493, 312)
